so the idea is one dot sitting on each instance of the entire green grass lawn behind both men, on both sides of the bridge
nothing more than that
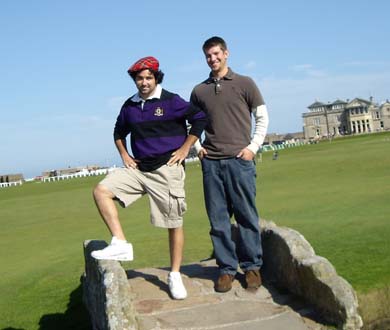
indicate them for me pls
(335, 193)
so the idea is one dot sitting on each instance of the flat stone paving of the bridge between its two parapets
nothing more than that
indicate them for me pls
(206, 309)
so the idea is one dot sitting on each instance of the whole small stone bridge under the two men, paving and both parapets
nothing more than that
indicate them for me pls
(139, 299)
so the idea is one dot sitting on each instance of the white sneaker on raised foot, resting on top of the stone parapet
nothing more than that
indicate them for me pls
(117, 250)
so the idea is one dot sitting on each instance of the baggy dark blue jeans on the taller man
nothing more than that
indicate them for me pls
(230, 189)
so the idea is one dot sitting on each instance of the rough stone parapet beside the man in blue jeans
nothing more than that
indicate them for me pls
(291, 263)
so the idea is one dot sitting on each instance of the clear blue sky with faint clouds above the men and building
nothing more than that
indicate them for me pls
(63, 64)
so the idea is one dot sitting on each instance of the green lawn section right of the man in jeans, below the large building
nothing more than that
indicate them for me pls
(337, 195)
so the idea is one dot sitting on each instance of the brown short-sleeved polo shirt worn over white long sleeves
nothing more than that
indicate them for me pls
(228, 108)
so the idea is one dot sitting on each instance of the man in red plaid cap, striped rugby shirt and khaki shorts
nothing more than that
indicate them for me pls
(156, 120)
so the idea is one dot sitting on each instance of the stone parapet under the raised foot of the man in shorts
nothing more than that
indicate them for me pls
(106, 292)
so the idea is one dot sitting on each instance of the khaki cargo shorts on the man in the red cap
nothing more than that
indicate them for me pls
(165, 187)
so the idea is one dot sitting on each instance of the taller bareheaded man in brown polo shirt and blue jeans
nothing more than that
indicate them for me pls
(229, 171)
